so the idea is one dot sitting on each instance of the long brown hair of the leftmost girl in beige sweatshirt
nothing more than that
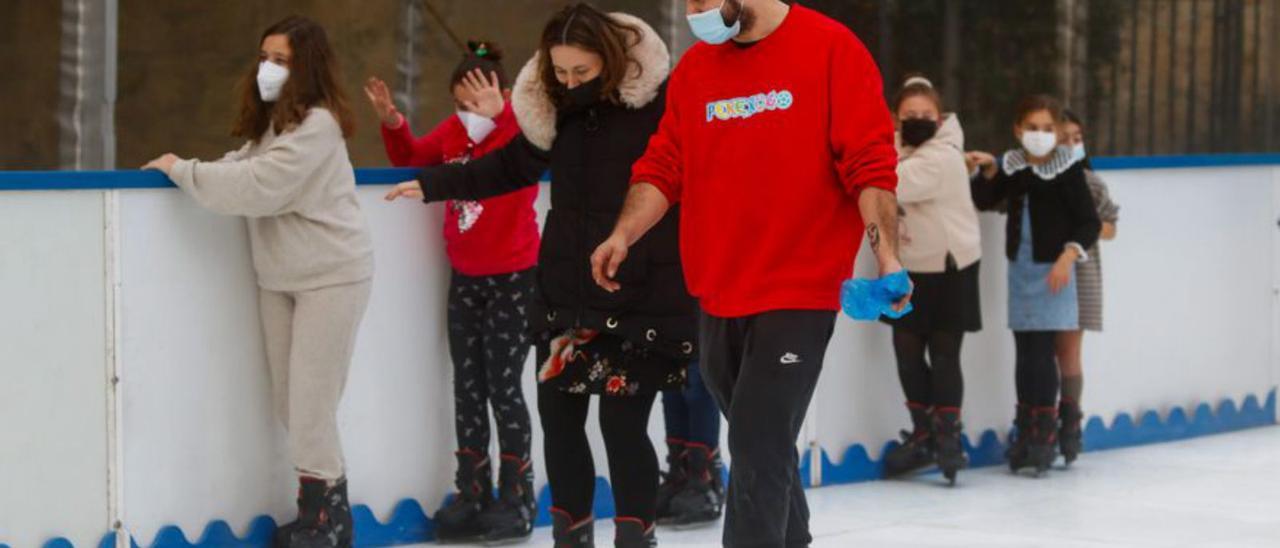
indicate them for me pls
(313, 83)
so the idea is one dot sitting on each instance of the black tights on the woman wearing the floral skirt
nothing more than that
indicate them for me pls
(570, 468)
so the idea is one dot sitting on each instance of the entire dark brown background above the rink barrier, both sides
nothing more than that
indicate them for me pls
(1149, 76)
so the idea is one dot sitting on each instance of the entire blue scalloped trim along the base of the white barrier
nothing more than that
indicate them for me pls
(410, 523)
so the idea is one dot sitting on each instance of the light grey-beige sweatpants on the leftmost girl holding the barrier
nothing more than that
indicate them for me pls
(310, 339)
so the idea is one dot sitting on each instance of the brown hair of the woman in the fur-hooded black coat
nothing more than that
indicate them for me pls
(587, 28)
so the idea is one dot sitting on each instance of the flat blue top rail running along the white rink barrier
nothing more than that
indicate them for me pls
(126, 180)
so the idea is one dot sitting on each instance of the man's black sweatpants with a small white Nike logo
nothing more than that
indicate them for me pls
(764, 371)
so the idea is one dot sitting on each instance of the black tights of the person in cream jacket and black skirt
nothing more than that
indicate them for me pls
(936, 382)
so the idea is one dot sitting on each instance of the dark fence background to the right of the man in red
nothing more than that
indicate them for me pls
(1149, 76)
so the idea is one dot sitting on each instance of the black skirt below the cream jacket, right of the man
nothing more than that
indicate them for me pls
(944, 303)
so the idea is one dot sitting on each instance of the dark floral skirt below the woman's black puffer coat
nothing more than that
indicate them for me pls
(589, 363)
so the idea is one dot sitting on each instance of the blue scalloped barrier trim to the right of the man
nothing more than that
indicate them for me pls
(858, 465)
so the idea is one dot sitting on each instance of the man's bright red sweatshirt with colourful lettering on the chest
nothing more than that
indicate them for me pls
(767, 148)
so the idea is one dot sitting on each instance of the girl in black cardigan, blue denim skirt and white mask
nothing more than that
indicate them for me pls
(1052, 222)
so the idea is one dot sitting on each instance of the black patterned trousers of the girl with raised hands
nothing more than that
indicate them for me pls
(490, 345)
